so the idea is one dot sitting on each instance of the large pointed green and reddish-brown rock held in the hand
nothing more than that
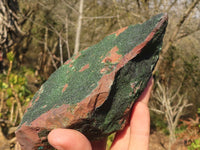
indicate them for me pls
(94, 90)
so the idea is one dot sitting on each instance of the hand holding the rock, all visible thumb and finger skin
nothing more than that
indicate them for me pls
(134, 136)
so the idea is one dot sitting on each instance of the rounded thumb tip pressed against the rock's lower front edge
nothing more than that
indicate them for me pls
(68, 139)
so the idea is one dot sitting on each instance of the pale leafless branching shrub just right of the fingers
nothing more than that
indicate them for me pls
(170, 104)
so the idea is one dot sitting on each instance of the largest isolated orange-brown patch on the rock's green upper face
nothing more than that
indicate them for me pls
(112, 56)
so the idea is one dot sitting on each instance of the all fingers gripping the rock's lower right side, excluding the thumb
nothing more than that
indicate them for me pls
(139, 125)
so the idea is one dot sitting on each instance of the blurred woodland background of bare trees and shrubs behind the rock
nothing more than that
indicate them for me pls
(37, 36)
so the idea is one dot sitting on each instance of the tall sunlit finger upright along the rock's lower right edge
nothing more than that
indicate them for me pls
(140, 121)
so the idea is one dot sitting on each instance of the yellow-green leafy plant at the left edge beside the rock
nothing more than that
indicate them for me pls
(14, 94)
